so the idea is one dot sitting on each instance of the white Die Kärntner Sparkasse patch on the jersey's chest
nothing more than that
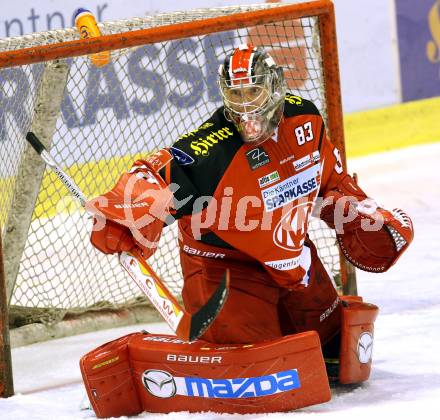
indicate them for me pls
(291, 189)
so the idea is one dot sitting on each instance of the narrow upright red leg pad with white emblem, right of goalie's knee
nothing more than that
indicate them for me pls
(357, 332)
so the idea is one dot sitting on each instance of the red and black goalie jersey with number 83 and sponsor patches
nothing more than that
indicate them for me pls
(255, 199)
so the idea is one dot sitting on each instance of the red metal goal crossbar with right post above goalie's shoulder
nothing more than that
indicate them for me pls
(322, 8)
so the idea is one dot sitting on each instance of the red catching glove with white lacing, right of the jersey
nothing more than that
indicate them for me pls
(370, 237)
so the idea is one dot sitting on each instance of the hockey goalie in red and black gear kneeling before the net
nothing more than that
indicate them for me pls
(242, 188)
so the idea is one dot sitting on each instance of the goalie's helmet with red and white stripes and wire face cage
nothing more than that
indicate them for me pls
(253, 91)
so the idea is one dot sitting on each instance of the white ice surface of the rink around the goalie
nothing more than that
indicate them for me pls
(405, 380)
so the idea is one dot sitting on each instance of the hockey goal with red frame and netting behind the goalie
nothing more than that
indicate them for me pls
(159, 84)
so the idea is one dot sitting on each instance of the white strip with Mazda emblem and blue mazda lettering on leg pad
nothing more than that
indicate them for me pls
(163, 385)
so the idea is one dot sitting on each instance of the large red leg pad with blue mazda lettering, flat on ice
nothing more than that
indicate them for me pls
(171, 375)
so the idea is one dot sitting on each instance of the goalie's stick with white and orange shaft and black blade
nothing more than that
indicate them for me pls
(187, 326)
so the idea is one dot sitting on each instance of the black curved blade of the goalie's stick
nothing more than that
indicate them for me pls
(206, 315)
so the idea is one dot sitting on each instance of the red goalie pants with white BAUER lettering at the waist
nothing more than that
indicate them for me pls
(257, 308)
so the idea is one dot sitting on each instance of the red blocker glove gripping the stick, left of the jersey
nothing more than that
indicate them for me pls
(132, 214)
